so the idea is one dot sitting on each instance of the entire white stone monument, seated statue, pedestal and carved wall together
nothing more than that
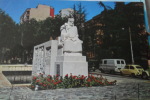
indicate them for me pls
(65, 54)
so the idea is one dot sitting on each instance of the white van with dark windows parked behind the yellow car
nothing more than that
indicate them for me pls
(112, 65)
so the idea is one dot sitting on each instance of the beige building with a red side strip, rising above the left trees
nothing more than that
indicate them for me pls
(41, 12)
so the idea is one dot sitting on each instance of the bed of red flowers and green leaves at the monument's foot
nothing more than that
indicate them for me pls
(69, 81)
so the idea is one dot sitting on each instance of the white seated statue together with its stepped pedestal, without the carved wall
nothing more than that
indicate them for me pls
(71, 59)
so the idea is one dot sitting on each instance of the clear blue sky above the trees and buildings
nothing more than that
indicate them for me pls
(15, 8)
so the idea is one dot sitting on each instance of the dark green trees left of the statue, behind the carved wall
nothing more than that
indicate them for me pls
(17, 40)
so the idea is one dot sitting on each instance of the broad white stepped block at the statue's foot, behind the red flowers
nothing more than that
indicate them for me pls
(75, 65)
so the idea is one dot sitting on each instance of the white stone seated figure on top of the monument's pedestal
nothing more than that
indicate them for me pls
(72, 45)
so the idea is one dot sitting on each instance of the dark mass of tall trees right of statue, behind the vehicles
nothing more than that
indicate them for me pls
(115, 24)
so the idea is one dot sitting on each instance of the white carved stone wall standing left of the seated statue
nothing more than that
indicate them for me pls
(44, 58)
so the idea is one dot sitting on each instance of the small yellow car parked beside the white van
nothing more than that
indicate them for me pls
(132, 70)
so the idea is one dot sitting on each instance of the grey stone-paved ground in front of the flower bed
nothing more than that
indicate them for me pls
(122, 91)
